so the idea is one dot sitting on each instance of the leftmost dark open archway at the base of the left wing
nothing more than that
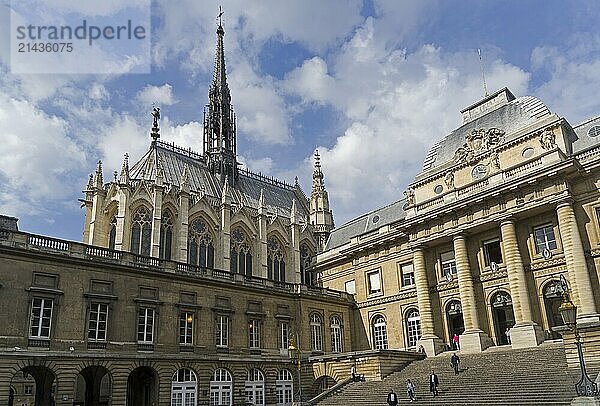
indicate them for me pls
(33, 385)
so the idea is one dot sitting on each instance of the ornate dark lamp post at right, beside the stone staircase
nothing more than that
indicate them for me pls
(568, 312)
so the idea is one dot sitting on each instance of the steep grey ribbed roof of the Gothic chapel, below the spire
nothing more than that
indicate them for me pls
(173, 160)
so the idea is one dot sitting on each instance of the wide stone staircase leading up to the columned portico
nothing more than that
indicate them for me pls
(498, 376)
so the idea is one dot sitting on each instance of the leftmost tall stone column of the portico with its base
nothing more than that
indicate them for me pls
(433, 344)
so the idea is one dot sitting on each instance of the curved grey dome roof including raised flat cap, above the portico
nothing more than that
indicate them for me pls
(499, 110)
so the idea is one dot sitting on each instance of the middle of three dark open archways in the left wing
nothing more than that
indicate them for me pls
(93, 387)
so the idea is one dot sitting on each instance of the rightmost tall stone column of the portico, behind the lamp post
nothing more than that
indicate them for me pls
(576, 264)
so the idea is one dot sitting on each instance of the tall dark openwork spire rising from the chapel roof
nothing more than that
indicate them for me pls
(219, 119)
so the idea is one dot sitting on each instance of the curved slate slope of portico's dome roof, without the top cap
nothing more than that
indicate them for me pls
(511, 117)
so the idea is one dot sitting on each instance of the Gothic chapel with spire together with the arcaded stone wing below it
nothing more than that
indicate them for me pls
(193, 280)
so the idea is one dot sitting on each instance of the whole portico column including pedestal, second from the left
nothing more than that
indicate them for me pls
(473, 339)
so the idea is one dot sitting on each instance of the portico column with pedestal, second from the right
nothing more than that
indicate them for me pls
(525, 333)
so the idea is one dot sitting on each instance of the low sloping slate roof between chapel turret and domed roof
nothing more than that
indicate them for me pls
(366, 223)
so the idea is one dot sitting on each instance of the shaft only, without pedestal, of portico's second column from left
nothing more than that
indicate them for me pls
(465, 284)
